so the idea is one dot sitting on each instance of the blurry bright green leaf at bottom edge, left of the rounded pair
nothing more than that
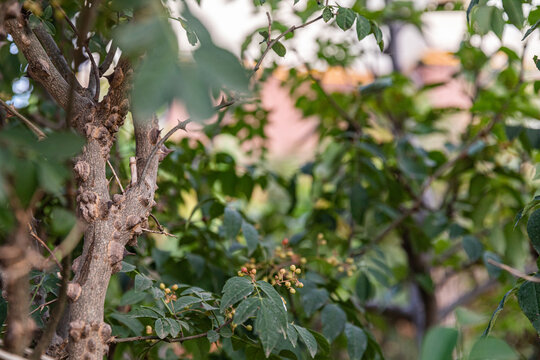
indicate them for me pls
(439, 343)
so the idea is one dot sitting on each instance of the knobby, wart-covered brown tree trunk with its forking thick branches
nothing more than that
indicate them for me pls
(112, 221)
